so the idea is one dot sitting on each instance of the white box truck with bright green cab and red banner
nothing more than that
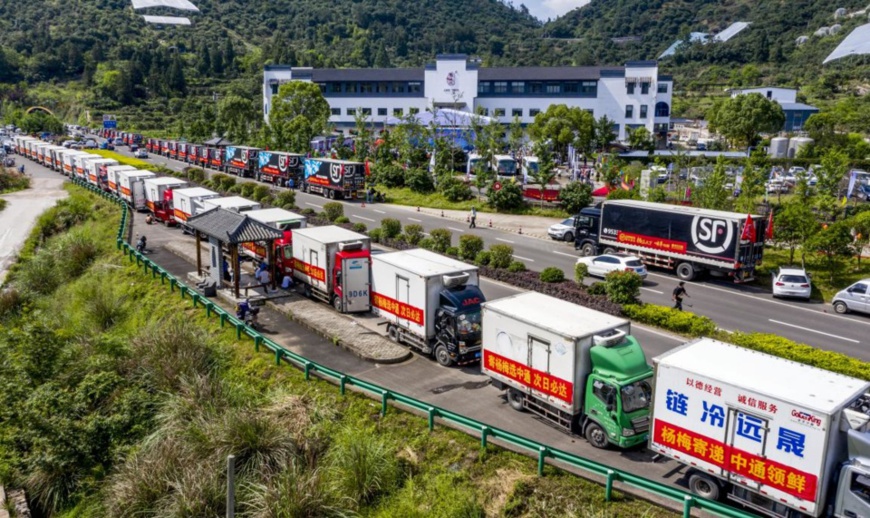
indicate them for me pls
(576, 367)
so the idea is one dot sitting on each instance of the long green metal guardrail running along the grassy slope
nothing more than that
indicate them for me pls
(486, 431)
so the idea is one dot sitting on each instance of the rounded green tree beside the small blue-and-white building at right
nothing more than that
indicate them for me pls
(743, 117)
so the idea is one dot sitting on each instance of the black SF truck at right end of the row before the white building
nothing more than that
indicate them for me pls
(335, 179)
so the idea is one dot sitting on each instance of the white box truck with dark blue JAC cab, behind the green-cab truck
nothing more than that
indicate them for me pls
(430, 302)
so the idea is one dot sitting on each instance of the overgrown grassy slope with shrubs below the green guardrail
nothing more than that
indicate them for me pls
(118, 398)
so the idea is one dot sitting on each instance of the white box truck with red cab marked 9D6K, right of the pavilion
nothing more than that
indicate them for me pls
(333, 265)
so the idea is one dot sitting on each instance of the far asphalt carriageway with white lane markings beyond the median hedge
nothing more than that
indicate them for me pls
(732, 307)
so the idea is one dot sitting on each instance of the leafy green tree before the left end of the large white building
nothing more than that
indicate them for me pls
(299, 113)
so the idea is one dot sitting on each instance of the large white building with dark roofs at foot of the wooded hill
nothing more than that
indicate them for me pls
(634, 95)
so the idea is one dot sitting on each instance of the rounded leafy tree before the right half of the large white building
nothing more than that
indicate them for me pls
(563, 126)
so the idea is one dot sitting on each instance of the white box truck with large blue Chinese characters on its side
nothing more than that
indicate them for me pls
(782, 438)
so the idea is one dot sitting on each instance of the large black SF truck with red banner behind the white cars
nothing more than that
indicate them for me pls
(688, 240)
